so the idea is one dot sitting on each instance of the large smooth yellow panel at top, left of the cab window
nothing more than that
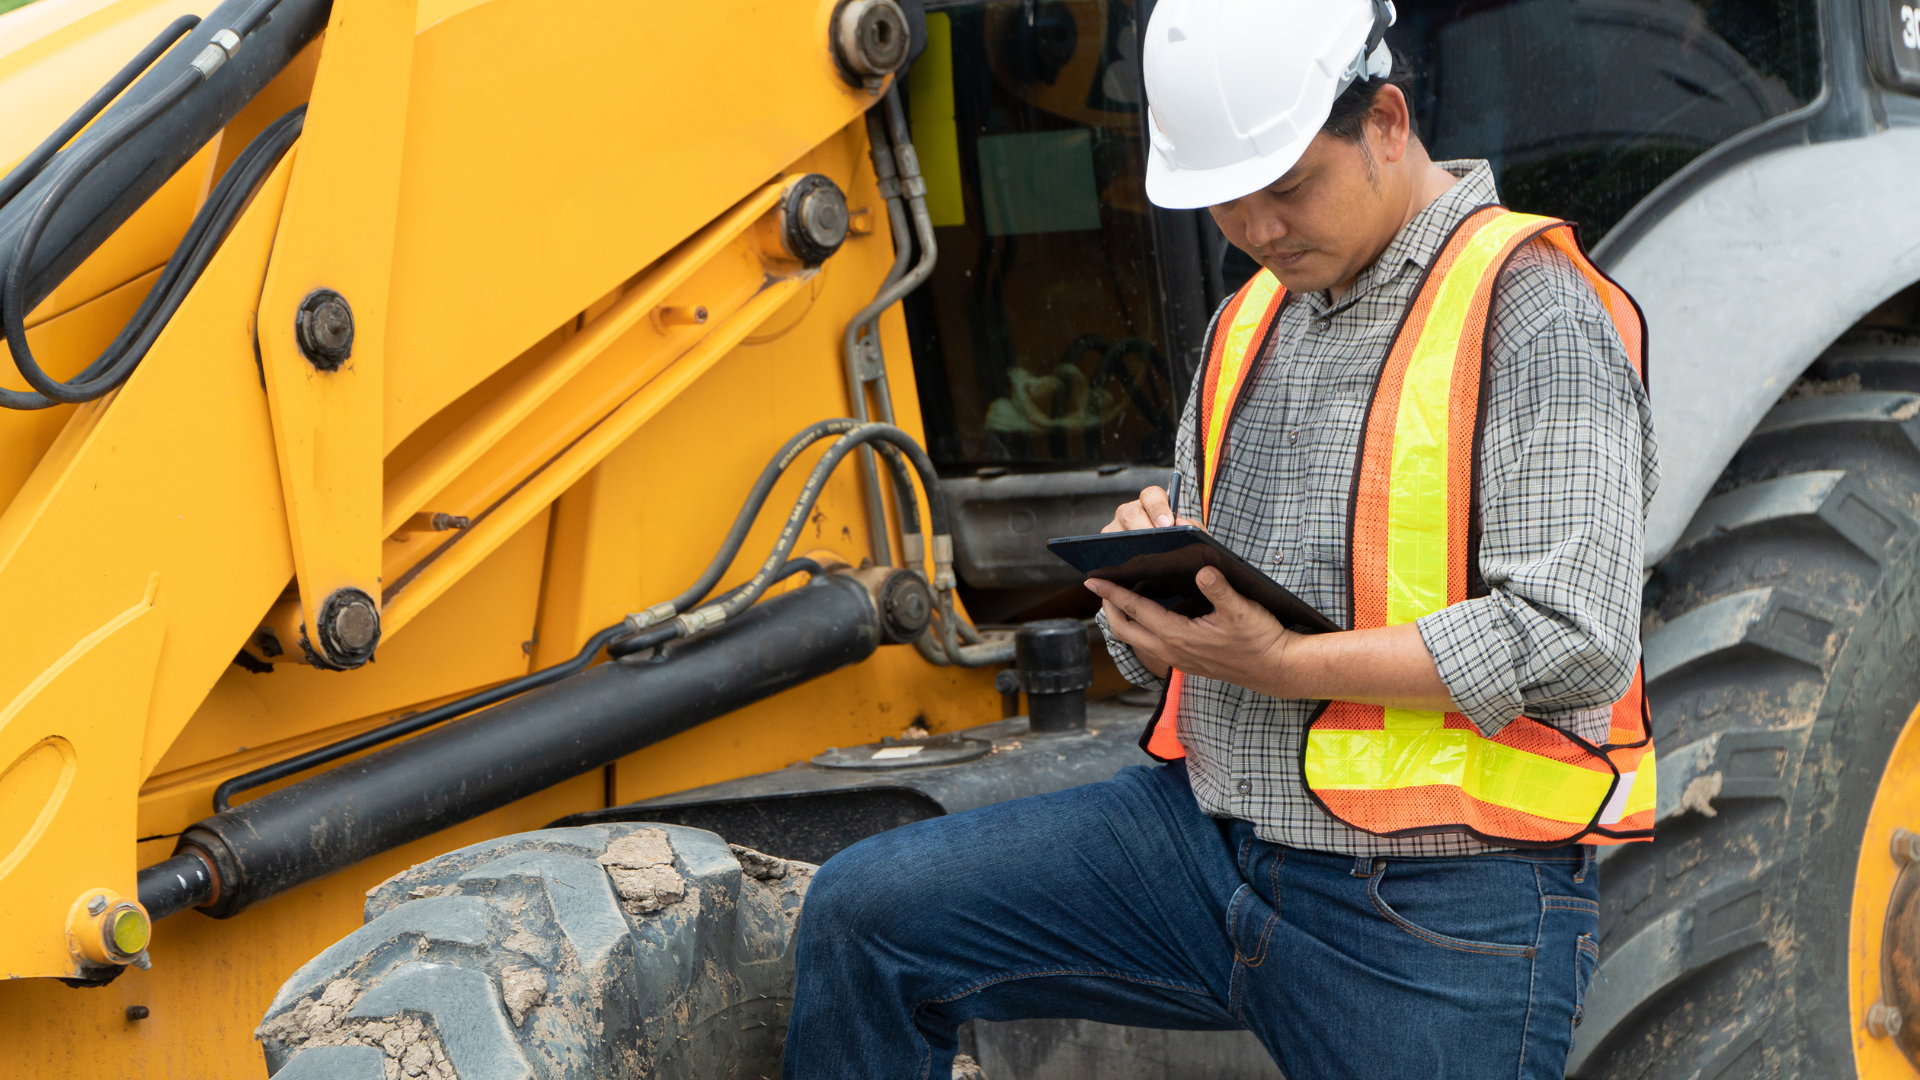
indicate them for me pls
(546, 168)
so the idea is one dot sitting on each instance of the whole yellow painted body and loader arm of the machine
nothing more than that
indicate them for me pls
(512, 195)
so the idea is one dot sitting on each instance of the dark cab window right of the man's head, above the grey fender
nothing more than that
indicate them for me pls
(1585, 107)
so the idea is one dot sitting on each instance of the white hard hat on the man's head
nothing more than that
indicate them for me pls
(1236, 89)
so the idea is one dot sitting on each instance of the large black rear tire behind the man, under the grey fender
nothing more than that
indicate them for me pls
(1781, 670)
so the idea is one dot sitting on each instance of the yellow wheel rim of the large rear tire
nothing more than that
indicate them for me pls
(1896, 808)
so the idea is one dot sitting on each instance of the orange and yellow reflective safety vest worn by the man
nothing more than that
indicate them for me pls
(1414, 533)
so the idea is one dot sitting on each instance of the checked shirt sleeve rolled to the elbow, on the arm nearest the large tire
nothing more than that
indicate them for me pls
(1566, 472)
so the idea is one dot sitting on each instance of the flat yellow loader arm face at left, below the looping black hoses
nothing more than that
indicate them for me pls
(122, 495)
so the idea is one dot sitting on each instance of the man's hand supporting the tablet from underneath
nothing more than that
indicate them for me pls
(1237, 643)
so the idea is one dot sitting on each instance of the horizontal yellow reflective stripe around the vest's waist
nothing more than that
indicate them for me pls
(1481, 768)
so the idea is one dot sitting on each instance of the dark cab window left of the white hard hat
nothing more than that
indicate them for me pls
(1040, 339)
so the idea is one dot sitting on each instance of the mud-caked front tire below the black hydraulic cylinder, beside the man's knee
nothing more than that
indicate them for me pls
(602, 952)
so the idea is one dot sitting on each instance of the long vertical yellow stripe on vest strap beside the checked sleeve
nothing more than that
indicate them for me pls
(1418, 489)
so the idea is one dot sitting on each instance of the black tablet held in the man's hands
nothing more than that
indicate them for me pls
(1161, 564)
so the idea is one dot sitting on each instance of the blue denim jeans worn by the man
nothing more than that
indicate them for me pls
(1124, 904)
